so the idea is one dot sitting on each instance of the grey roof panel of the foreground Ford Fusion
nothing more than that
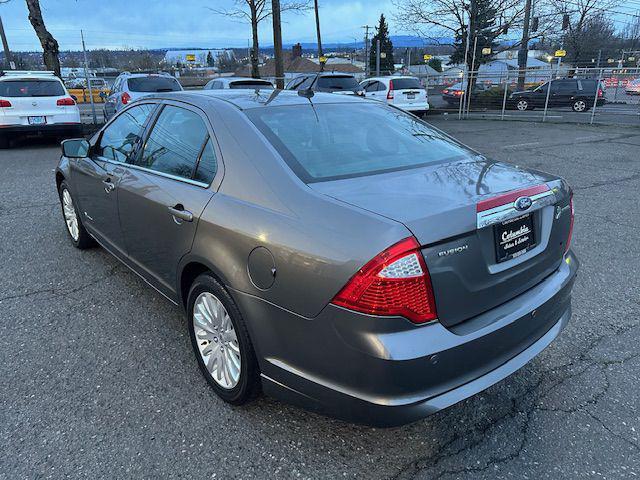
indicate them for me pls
(248, 99)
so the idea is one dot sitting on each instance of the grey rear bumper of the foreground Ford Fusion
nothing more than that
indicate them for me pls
(386, 371)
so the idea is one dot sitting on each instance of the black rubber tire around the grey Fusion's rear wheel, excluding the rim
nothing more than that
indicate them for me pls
(248, 386)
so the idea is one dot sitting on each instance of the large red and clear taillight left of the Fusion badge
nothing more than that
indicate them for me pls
(395, 283)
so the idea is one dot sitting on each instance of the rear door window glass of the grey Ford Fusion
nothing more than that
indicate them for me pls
(175, 143)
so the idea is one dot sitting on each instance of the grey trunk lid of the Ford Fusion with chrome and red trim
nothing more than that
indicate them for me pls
(456, 211)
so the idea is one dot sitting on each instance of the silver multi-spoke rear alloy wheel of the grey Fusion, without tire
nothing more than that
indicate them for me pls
(217, 340)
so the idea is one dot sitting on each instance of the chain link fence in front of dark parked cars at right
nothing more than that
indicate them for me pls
(564, 94)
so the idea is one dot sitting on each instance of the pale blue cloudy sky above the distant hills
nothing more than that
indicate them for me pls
(179, 23)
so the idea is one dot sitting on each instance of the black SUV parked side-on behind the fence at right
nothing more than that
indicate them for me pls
(579, 94)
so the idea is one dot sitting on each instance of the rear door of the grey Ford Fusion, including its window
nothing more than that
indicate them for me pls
(163, 192)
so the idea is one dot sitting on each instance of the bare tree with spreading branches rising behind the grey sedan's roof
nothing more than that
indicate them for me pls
(254, 12)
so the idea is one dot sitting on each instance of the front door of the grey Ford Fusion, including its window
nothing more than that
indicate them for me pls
(96, 178)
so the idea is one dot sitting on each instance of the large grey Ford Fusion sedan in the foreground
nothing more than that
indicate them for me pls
(336, 252)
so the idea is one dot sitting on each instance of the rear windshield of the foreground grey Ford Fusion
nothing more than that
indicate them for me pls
(334, 141)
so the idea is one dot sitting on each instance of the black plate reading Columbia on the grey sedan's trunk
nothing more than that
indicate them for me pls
(514, 237)
